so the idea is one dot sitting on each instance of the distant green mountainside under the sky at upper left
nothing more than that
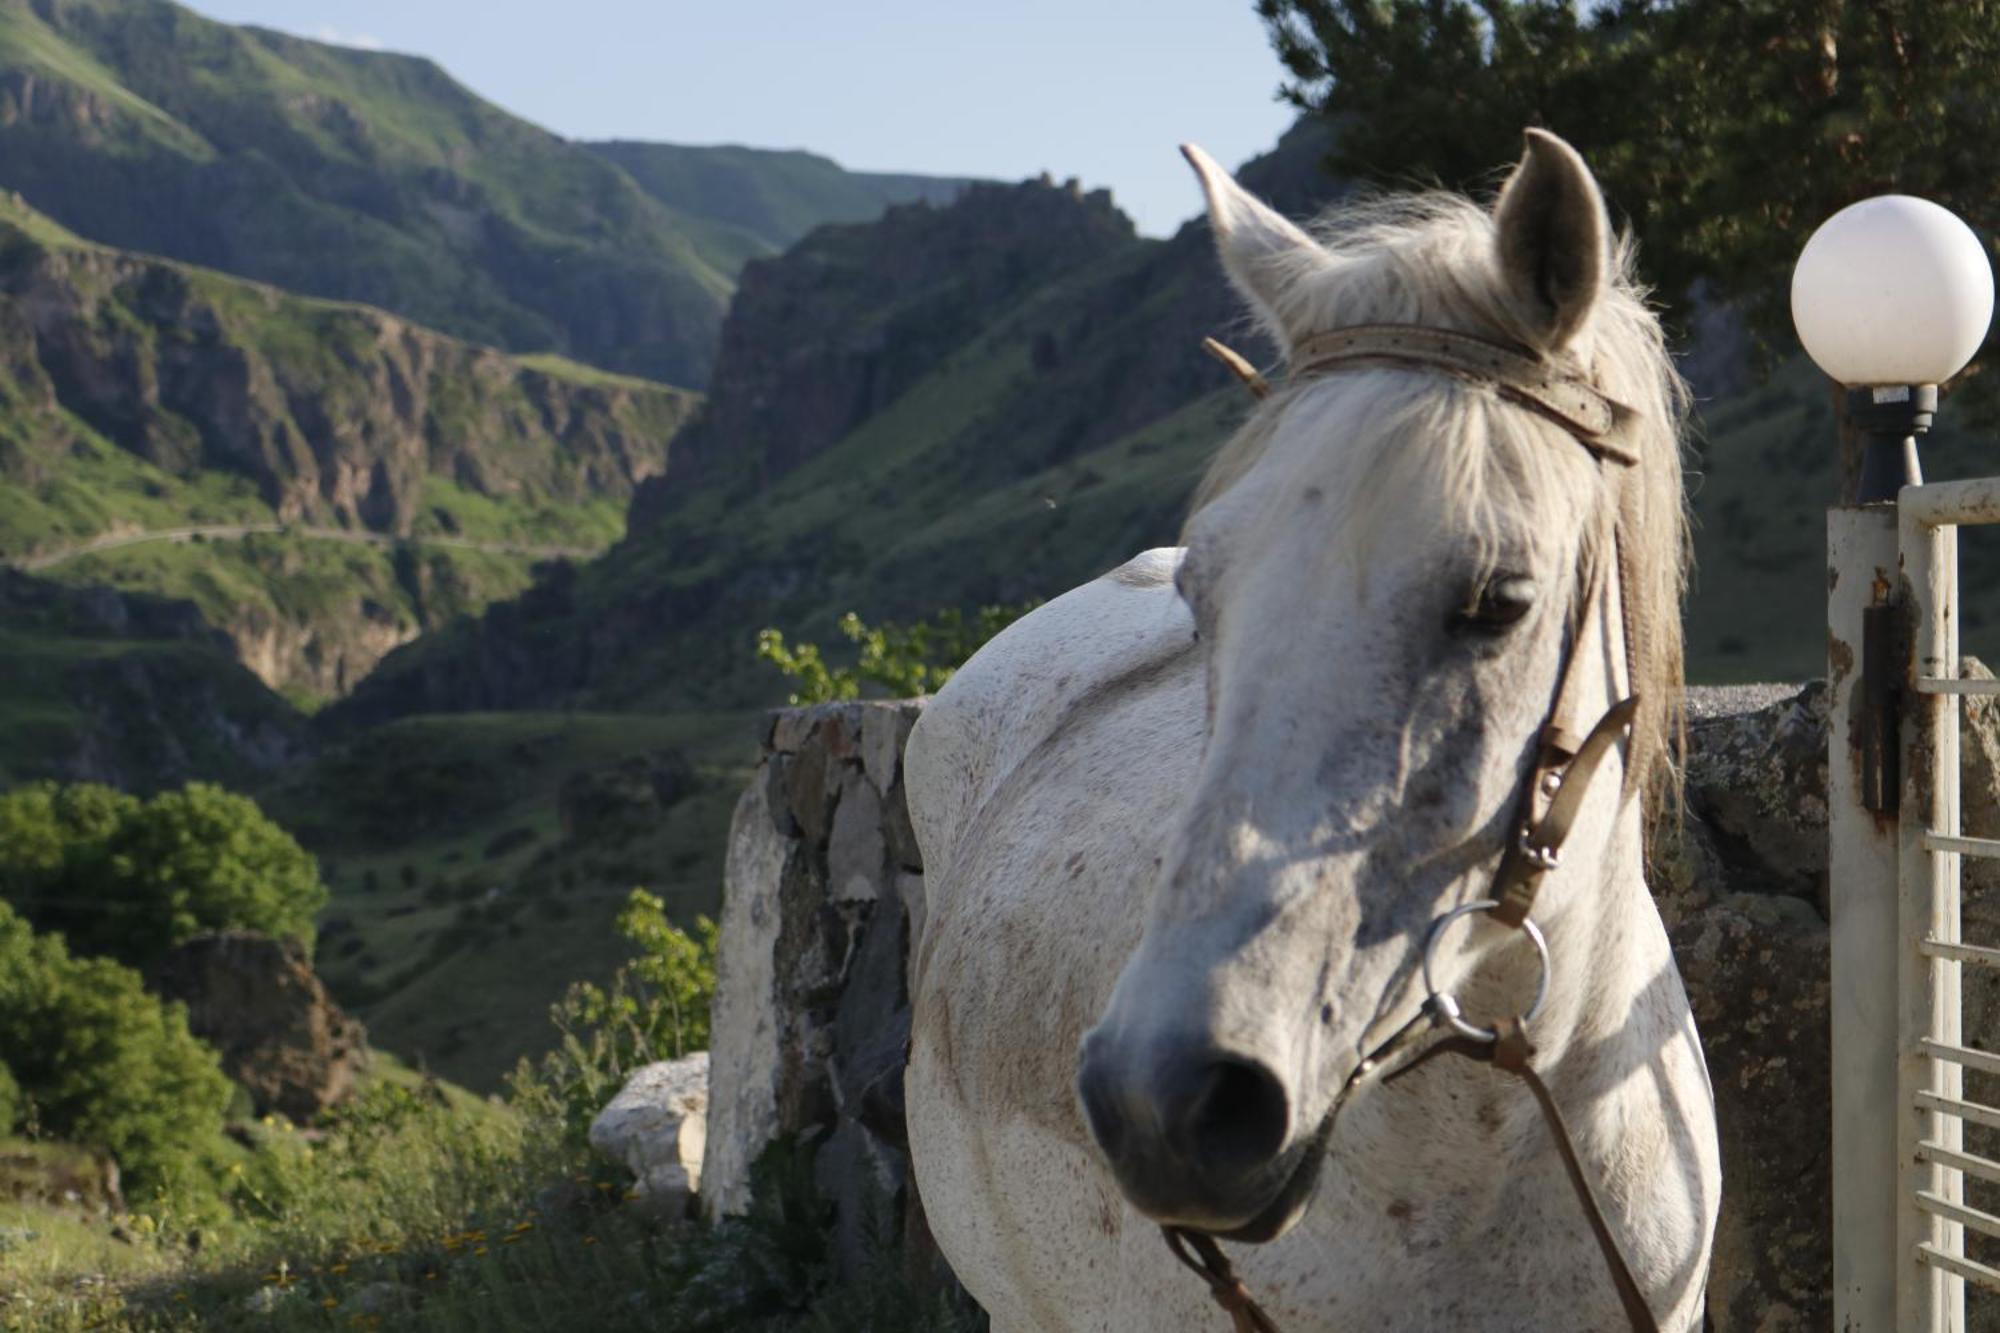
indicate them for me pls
(375, 177)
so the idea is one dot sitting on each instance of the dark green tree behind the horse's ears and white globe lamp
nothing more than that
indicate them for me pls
(1725, 131)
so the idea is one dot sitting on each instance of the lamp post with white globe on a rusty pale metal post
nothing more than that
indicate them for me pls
(1891, 299)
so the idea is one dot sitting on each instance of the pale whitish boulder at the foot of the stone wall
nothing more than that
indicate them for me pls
(657, 1128)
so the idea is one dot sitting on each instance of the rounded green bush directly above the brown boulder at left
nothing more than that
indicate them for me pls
(131, 880)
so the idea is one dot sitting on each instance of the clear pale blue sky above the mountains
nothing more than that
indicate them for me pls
(1093, 89)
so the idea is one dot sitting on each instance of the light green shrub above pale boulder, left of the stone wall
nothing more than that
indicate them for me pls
(655, 1010)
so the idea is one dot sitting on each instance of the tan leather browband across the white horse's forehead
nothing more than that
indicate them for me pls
(1579, 407)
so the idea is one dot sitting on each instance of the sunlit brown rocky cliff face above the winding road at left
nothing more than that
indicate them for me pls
(331, 413)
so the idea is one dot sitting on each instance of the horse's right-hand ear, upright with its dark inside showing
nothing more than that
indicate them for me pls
(1553, 241)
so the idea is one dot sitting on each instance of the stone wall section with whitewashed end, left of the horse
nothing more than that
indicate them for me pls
(813, 1012)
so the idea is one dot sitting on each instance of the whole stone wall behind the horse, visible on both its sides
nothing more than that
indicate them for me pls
(825, 896)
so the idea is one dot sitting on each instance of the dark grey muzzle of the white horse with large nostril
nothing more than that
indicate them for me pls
(1197, 1136)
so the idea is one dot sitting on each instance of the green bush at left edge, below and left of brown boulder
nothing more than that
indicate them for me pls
(103, 1062)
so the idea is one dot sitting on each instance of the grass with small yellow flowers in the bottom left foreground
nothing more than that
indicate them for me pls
(423, 1208)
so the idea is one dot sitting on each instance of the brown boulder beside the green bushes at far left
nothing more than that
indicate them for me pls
(267, 1014)
